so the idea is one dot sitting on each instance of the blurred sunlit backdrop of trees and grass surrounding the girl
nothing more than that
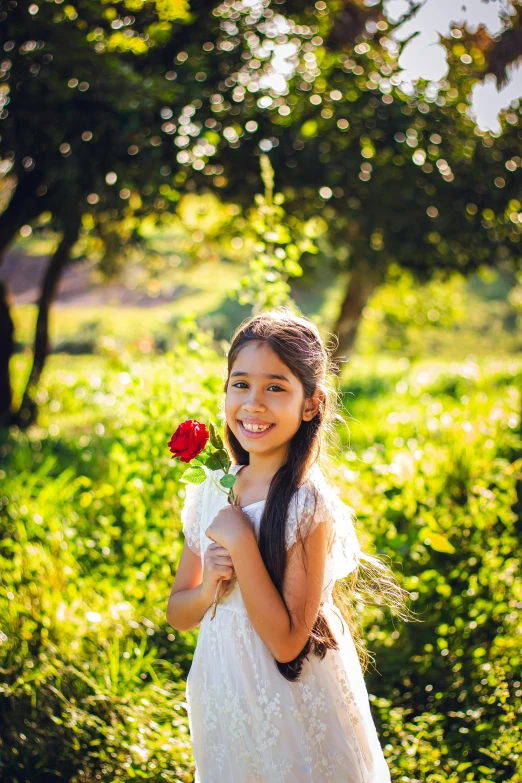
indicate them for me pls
(168, 168)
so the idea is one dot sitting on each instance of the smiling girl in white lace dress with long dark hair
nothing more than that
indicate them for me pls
(276, 692)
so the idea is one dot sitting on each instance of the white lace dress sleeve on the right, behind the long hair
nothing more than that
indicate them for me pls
(317, 502)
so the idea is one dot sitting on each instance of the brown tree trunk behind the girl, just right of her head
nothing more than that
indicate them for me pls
(363, 280)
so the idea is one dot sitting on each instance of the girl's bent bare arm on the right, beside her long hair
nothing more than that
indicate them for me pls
(302, 591)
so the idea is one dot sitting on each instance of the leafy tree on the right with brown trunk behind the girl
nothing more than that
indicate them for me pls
(397, 178)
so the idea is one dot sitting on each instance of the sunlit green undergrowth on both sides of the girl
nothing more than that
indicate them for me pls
(93, 678)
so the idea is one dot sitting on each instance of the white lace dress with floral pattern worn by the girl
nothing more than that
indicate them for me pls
(248, 724)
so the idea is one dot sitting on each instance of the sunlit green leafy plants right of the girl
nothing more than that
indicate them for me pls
(442, 458)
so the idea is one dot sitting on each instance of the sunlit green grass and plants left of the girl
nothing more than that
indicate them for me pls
(92, 680)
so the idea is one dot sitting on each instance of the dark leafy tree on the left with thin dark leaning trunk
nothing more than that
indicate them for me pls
(87, 104)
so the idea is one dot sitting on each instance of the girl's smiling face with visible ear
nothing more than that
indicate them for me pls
(263, 391)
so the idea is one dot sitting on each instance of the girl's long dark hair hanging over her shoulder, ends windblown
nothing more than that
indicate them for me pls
(298, 343)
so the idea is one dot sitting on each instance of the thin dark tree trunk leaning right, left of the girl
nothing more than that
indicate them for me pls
(26, 415)
